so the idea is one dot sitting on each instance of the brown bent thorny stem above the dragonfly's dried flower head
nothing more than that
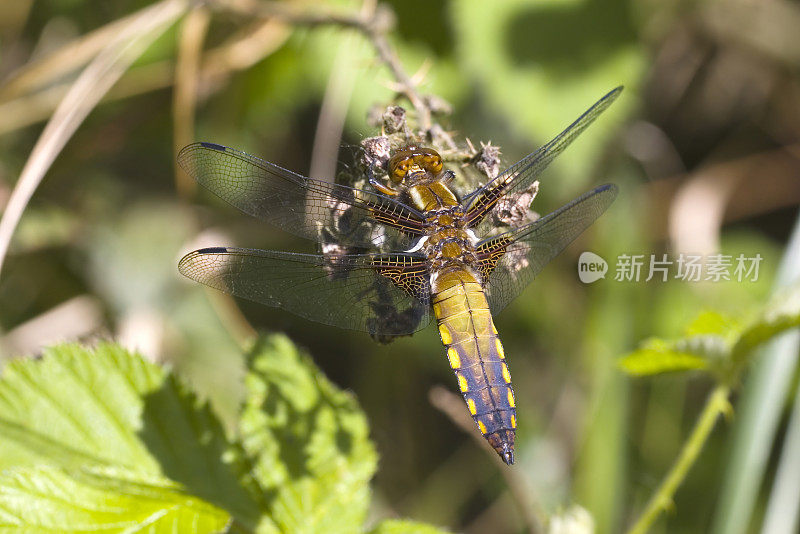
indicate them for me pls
(375, 25)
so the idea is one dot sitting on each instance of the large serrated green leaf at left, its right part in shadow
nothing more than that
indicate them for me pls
(107, 408)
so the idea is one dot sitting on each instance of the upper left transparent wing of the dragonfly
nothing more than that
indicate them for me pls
(296, 204)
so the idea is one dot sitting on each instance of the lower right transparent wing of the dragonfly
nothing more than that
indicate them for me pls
(523, 253)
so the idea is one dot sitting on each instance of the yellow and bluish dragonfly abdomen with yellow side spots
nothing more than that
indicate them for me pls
(477, 358)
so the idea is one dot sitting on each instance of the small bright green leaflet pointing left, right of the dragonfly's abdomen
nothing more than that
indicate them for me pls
(659, 356)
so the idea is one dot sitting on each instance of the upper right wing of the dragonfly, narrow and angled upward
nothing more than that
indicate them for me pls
(523, 173)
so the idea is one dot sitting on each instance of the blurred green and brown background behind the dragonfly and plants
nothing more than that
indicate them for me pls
(703, 144)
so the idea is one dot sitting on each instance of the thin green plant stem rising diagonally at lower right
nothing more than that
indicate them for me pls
(716, 404)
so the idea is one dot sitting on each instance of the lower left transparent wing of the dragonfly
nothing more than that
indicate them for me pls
(353, 291)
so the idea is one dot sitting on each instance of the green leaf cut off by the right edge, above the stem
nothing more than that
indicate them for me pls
(782, 313)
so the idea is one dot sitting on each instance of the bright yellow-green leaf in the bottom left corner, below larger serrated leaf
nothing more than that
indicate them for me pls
(50, 499)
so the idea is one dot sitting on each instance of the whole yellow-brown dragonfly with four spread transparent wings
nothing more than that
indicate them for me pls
(411, 250)
